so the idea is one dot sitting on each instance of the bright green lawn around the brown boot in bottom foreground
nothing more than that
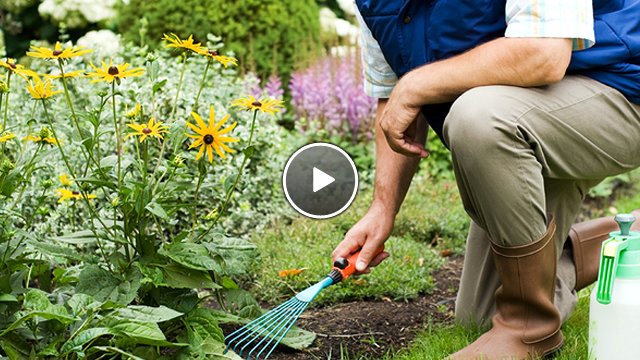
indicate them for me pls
(438, 340)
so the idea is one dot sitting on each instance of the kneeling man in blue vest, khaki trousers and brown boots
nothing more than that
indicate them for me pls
(537, 101)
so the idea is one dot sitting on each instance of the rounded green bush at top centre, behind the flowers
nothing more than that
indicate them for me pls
(269, 35)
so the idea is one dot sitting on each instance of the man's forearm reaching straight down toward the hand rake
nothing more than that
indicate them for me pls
(393, 171)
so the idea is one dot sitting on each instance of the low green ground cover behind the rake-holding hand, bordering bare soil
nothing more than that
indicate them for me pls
(432, 220)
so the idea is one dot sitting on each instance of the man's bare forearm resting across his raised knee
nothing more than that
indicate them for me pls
(505, 61)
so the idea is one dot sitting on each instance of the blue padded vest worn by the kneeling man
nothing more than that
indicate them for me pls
(412, 33)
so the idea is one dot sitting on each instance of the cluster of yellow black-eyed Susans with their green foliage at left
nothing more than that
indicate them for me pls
(116, 185)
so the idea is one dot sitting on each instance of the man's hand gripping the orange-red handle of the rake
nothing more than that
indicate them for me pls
(368, 235)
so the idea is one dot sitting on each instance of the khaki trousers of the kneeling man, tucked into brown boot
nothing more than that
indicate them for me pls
(522, 153)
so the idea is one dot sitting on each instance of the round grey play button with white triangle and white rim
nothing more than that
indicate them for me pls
(320, 180)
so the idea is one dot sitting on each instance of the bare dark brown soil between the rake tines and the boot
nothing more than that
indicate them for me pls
(372, 328)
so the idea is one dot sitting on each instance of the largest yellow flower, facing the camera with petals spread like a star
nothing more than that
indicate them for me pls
(211, 137)
